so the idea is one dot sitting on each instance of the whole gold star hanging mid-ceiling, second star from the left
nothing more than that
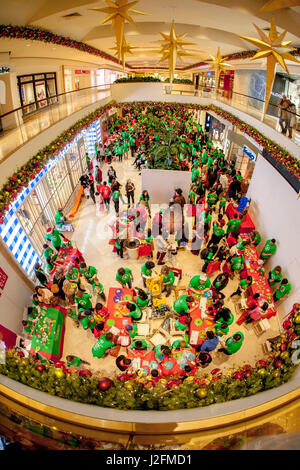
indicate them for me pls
(172, 47)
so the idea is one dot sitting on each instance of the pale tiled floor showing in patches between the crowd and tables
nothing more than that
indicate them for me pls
(91, 237)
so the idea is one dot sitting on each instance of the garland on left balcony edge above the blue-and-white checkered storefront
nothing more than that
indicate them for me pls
(22, 177)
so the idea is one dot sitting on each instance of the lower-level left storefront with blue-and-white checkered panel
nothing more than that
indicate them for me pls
(56, 186)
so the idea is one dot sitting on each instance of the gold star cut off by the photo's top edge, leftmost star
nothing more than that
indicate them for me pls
(118, 14)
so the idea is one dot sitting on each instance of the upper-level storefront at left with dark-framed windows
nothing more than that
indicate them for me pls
(37, 87)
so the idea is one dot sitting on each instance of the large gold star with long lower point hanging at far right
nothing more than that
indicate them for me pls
(274, 49)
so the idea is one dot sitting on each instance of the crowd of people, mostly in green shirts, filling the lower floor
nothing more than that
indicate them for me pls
(215, 239)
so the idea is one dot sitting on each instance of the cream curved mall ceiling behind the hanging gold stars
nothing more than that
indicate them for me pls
(208, 24)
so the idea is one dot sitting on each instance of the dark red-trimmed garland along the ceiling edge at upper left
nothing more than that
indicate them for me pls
(38, 34)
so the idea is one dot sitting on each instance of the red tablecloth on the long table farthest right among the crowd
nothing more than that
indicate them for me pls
(260, 283)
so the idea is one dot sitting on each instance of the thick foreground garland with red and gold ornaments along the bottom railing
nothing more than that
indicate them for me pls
(166, 394)
